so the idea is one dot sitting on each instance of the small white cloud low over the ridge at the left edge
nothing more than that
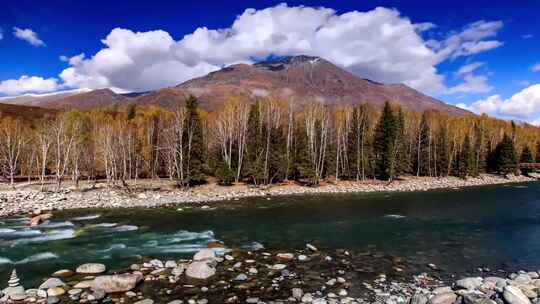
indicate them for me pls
(28, 84)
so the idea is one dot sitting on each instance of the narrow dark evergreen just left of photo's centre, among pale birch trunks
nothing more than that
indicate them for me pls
(254, 160)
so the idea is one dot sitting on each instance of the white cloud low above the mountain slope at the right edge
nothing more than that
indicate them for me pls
(522, 105)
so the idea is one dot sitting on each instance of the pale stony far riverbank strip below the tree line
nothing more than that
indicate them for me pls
(150, 194)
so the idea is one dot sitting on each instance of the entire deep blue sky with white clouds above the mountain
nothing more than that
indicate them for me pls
(141, 45)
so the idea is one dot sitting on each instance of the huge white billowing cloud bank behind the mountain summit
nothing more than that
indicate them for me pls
(379, 44)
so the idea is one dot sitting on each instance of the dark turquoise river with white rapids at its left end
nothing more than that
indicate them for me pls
(459, 230)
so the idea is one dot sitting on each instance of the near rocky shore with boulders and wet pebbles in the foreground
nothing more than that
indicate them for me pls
(219, 275)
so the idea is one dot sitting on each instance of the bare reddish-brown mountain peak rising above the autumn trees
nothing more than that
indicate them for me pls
(303, 78)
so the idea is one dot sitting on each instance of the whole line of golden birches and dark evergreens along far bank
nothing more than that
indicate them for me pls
(272, 140)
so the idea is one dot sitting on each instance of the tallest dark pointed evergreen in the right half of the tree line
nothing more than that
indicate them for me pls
(384, 144)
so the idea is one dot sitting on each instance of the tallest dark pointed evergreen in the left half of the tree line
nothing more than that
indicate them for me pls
(194, 144)
